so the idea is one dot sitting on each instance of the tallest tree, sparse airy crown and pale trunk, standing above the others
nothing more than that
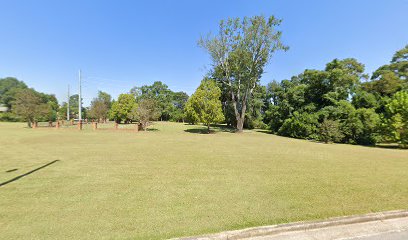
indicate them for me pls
(239, 53)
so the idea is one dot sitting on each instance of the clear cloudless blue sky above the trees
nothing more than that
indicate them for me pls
(121, 44)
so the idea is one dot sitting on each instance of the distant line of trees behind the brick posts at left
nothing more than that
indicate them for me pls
(142, 104)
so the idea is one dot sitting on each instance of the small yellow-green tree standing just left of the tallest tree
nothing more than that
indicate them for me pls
(206, 104)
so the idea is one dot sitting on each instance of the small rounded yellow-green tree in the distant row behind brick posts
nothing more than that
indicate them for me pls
(123, 109)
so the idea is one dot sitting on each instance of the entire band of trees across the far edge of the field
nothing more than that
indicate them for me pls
(340, 103)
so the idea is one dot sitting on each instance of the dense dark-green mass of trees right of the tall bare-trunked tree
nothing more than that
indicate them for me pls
(341, 104)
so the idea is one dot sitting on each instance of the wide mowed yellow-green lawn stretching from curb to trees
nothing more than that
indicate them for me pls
(173, 181)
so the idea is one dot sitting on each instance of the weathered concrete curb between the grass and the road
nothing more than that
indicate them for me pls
(299, 226)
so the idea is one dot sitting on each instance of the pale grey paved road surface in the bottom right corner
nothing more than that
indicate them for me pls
(391, 229)
